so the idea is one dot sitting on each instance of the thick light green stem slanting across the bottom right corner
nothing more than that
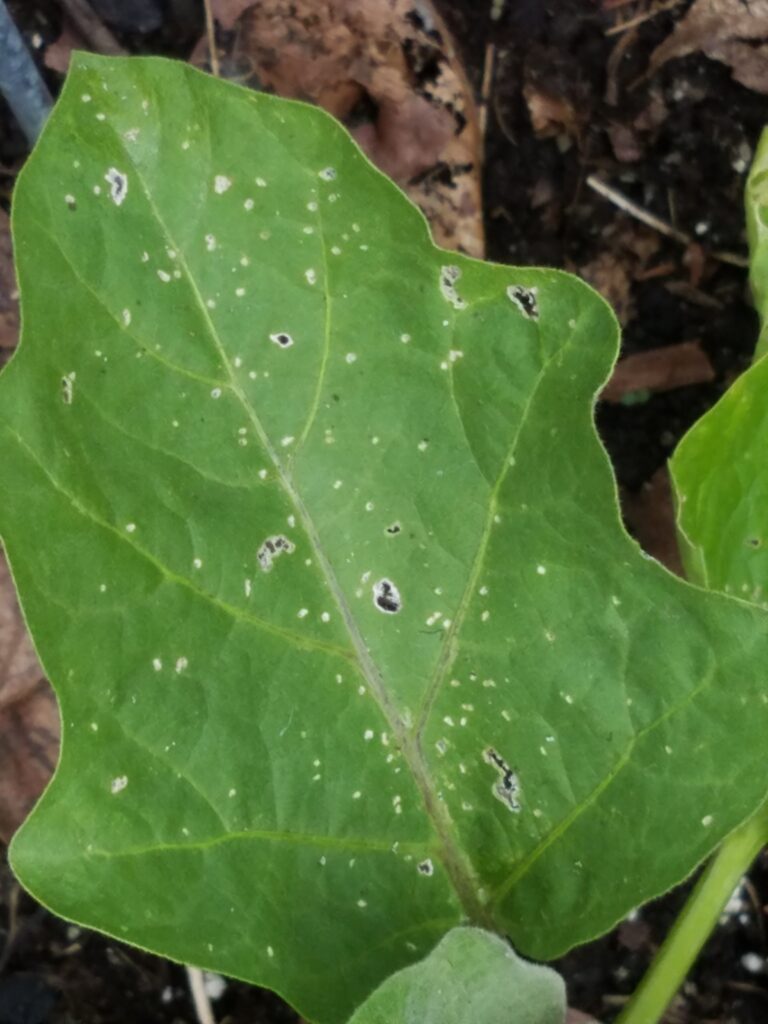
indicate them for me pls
(698, 920)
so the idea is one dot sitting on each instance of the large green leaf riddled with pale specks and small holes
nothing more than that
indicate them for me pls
(456, 692)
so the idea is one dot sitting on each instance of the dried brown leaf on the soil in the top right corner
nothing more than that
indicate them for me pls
(731, 31)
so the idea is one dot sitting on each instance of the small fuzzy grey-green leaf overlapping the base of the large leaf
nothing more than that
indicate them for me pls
(470, 976)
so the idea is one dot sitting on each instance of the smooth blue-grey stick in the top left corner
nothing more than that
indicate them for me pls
(21, 82)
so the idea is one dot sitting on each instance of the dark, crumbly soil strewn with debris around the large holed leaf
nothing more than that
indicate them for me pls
(678, 145)
